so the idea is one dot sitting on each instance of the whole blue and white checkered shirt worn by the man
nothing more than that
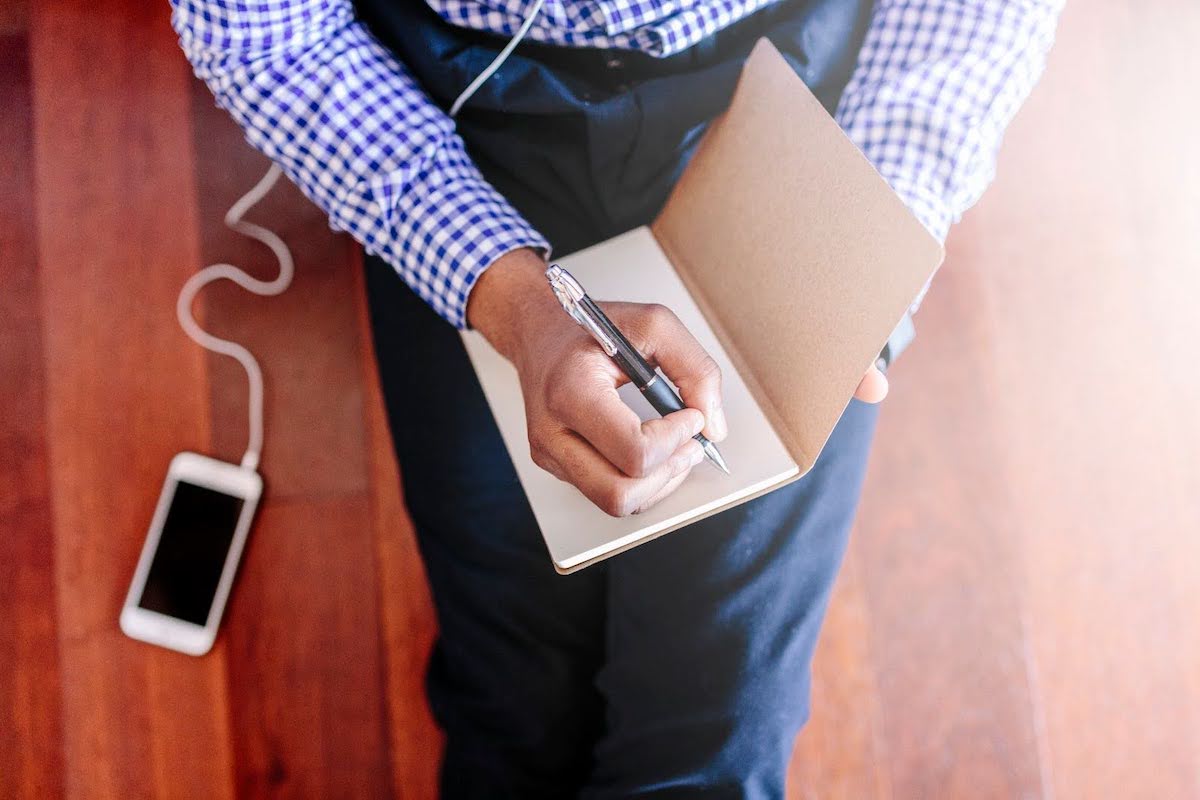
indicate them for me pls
(937, 83)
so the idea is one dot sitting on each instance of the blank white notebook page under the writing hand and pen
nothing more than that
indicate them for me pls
(633, 268)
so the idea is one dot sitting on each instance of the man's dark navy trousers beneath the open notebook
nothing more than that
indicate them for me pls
(680, 669)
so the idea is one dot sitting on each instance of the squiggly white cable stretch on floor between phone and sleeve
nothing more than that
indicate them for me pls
(265, 288)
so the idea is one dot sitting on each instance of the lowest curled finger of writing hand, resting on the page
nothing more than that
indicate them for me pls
(573, 460)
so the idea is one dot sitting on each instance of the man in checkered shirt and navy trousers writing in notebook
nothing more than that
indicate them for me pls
(680, 669)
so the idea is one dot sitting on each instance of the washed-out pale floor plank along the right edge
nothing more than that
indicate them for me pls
(1096, 332)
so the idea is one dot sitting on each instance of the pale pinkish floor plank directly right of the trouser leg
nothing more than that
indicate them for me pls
(941, 567)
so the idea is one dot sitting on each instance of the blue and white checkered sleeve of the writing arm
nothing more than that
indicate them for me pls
(317, 94)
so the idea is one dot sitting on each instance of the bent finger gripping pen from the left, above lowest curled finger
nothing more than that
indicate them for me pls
(635, 448)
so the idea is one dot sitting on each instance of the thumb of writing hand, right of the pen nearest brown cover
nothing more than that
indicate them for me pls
(664, 340)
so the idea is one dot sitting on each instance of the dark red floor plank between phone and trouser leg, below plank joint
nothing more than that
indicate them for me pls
(305, 681)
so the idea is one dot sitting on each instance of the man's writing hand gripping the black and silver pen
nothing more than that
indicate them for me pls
(580, 430)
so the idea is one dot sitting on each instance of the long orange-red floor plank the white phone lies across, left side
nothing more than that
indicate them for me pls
(125, 389)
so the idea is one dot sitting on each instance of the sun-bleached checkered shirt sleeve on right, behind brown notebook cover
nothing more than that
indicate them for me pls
(937, 85)
